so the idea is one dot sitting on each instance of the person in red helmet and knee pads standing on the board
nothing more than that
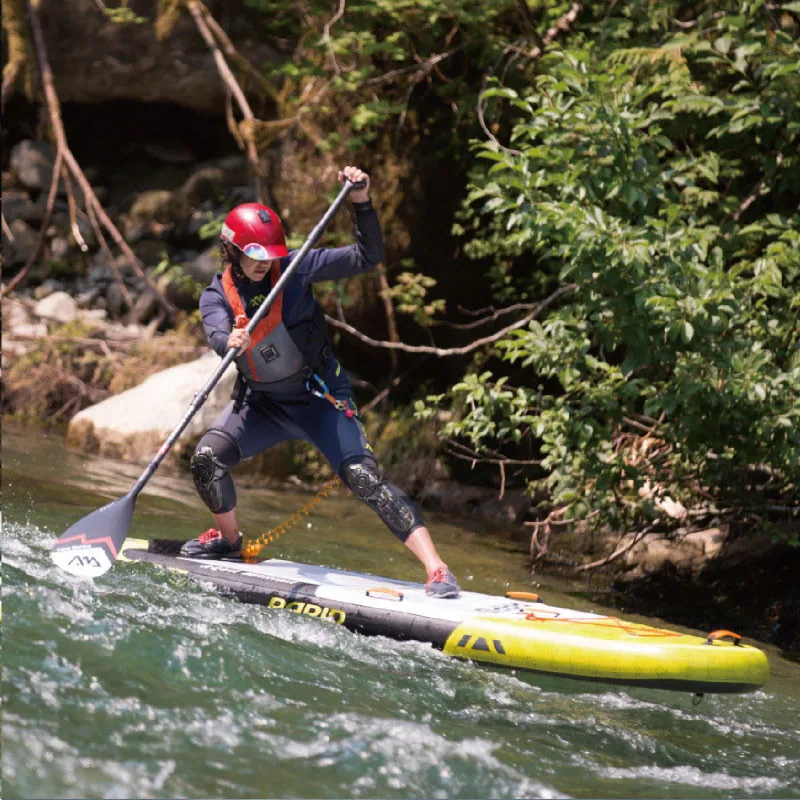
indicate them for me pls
(290, 385)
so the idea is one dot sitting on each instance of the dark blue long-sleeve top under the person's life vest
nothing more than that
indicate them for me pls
(298, 298)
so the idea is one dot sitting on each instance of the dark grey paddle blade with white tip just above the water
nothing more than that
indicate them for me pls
(90, 546)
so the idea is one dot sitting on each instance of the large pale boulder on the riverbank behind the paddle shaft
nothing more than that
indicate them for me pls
(133, 425)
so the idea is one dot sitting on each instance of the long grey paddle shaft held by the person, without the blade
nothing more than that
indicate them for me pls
(202, 395)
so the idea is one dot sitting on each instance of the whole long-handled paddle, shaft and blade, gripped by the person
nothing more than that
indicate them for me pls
(90, 546)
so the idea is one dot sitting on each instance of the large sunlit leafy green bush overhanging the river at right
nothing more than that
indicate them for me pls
(660, 185)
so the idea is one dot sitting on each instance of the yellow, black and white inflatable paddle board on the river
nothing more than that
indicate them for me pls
(518, 631)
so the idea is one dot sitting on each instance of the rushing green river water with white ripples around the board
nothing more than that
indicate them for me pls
(140, 684)
